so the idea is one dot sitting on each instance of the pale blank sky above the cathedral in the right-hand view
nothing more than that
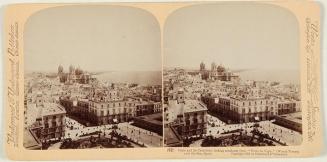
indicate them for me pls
(239, 36)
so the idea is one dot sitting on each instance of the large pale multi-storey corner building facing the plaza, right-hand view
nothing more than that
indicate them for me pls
(246, 105)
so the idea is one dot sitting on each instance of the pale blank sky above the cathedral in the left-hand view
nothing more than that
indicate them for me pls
(97, 38)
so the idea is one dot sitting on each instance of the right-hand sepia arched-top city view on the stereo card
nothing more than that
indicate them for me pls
(231, 76)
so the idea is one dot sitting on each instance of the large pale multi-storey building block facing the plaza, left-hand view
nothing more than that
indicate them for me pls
(108, 107)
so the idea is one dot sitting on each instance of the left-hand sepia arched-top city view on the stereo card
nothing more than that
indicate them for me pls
(92, 78)
